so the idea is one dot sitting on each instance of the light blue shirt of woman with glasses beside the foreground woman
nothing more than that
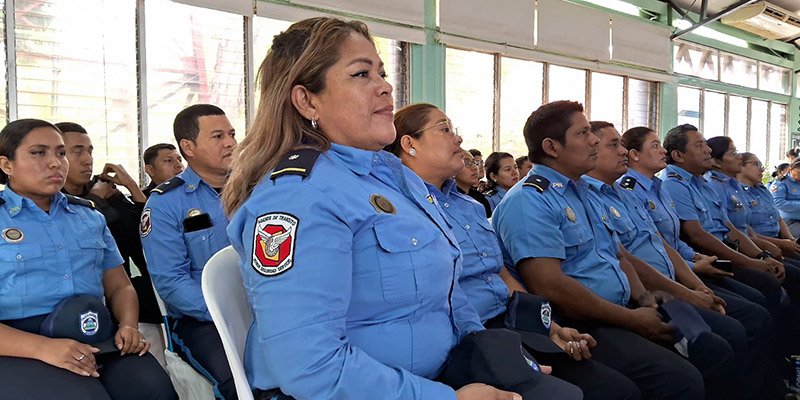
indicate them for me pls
(483, 259)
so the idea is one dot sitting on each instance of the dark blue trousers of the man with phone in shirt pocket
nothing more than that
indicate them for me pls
(199, 344)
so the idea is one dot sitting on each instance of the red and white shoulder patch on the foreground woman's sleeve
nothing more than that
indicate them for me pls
(273, 243)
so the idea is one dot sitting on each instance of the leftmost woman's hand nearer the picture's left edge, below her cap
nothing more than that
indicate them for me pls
(70, 355)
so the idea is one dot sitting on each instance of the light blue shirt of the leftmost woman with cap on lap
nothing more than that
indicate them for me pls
(58, 255)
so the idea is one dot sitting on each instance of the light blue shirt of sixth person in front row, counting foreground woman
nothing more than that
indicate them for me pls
(695, 200)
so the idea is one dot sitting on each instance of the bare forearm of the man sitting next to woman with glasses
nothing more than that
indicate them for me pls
(544, 277)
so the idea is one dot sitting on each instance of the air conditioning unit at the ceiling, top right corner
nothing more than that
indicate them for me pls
(765, 20)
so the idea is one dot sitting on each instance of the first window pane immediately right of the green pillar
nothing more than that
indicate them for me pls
(469, 82)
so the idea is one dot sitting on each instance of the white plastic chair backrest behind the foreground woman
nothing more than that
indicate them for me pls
(227, 303)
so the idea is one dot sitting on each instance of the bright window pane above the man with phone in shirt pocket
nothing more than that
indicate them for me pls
(194, 55)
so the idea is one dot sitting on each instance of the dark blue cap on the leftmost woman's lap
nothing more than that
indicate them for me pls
(84, 319)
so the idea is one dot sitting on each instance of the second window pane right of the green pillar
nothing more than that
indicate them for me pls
(520, 94)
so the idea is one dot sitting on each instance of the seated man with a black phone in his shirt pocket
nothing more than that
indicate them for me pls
(181, 227)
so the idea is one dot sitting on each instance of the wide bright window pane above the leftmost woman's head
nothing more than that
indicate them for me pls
(79, 64)
